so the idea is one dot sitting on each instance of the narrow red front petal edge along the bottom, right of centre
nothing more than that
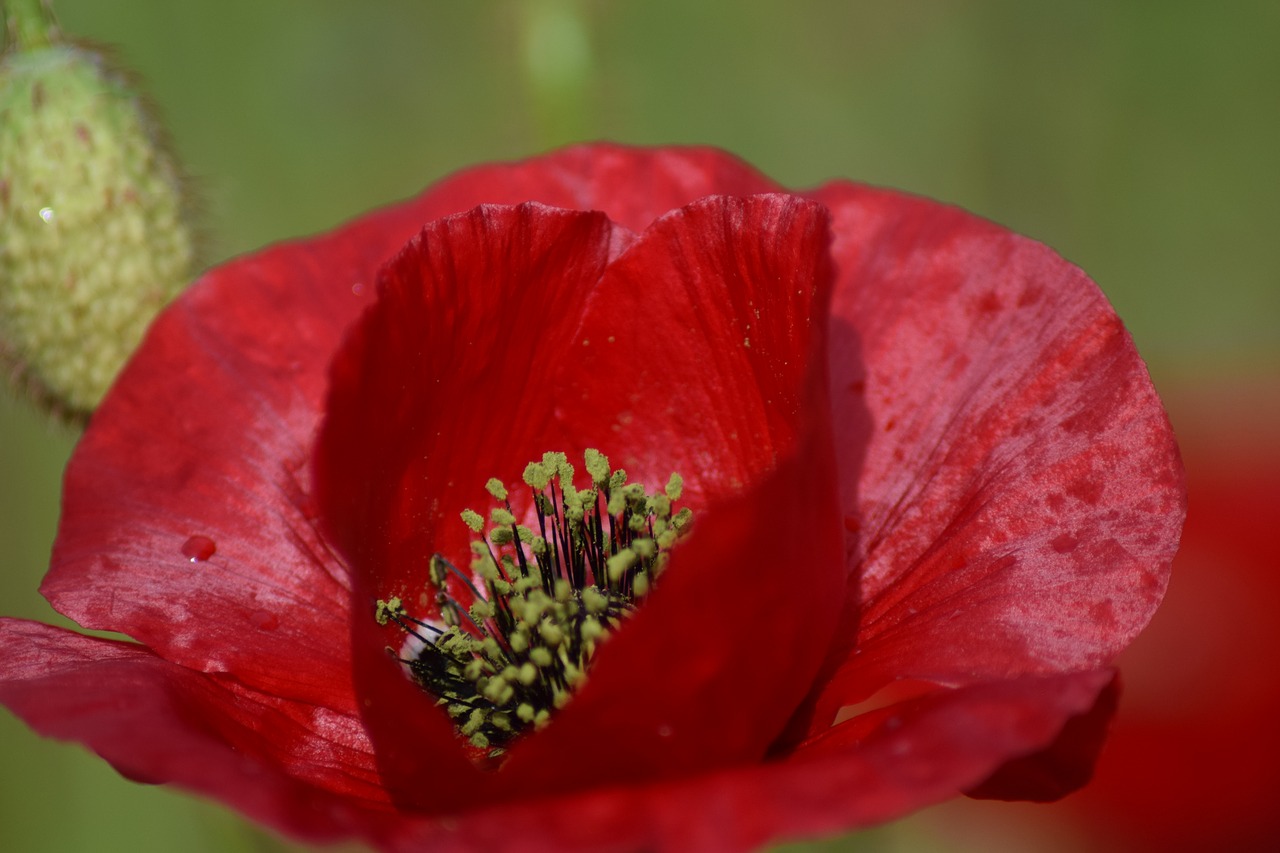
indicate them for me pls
(925, 752)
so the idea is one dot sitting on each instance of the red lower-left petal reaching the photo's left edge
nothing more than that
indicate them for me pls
(299, 768)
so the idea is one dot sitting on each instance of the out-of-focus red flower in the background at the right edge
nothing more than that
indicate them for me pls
(1195, 761)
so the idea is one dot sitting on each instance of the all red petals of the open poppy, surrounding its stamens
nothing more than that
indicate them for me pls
(935, 496)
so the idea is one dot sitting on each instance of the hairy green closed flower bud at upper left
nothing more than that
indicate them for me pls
(95, 235)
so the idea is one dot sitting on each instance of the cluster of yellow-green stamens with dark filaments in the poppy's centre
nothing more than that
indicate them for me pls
(514, 641)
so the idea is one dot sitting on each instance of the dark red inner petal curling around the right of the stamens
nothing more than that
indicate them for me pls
(733, 398)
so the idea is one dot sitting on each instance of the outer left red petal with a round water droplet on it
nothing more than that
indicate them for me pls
(188, 522)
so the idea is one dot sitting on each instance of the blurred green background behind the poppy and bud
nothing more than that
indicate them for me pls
(1141, 140)
